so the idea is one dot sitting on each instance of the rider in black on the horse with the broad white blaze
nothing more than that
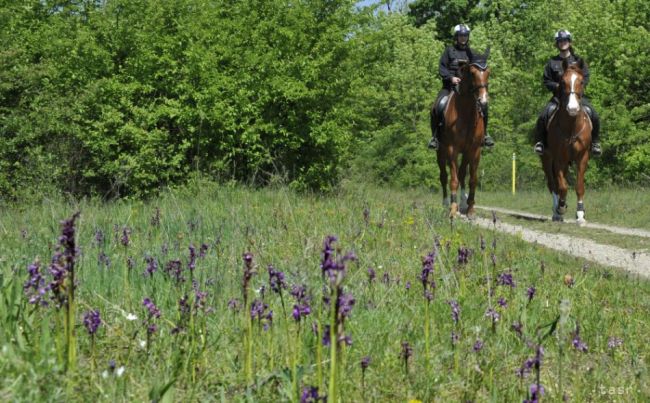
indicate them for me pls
(552, 77)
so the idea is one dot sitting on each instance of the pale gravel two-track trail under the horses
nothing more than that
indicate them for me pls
(608, 255)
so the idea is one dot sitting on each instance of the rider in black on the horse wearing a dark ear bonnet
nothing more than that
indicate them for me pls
(449, 72)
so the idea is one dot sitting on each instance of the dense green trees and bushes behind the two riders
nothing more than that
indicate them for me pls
(120, 97)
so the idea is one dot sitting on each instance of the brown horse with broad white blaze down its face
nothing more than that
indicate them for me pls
(569, 142)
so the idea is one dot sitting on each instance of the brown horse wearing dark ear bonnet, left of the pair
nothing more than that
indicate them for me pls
(463, 132)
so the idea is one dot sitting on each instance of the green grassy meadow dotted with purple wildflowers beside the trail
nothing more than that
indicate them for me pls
(404, 305)
